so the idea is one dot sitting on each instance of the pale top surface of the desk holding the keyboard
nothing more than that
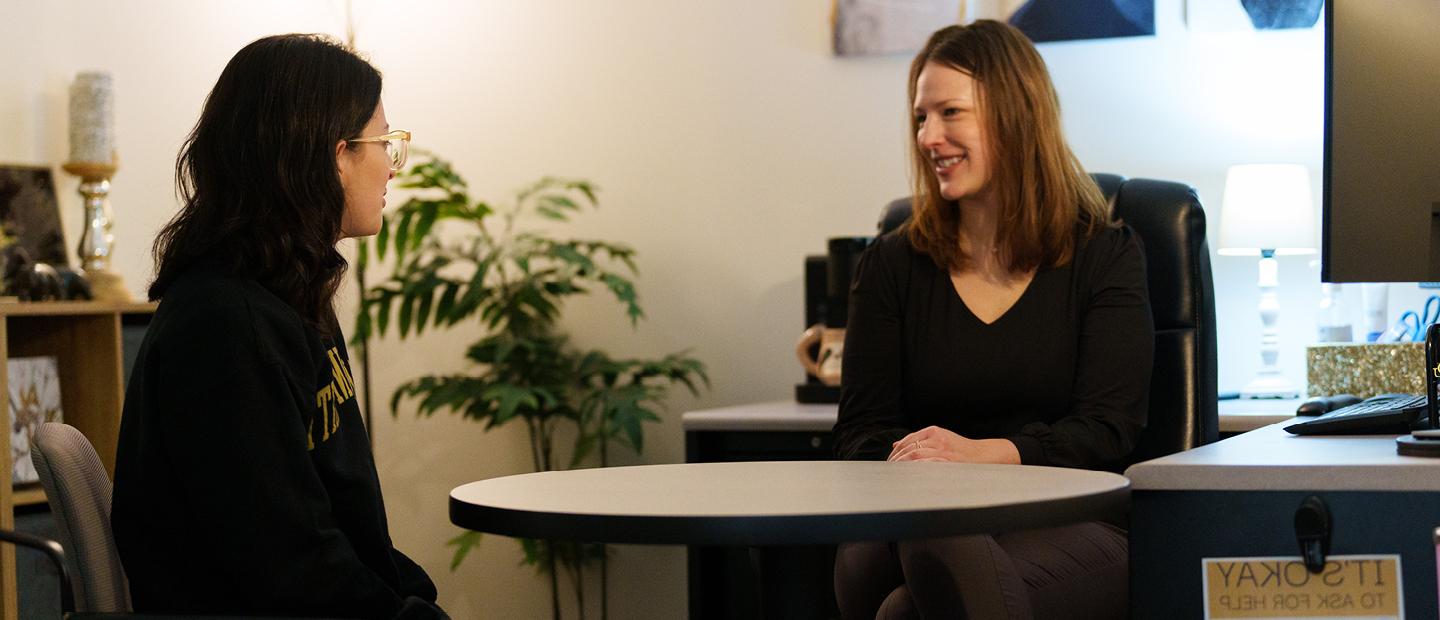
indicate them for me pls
(1271, 460)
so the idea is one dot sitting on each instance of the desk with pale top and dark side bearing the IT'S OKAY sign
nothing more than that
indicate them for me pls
(1238, 498)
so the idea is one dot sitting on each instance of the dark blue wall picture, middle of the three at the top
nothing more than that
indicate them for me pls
(1049, 21)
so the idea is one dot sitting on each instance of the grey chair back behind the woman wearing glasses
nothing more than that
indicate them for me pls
(80, 493)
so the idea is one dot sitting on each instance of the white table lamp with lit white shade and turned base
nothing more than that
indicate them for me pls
(1268, 214)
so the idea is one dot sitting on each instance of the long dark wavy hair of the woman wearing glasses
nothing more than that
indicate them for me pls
(257, 178)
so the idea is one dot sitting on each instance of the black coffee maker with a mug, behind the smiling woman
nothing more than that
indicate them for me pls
(827, 309)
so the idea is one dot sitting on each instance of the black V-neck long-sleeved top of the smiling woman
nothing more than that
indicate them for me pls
(1065, 373)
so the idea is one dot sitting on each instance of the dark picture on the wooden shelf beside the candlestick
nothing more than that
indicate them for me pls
(31, 214)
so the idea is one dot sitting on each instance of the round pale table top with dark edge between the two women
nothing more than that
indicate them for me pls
(784, 503)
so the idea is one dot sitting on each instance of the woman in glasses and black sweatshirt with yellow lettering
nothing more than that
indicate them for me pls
(244, 480)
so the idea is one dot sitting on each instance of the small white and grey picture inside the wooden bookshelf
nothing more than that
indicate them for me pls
(35, 399)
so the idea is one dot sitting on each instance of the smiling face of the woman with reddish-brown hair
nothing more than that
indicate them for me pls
(950, 132)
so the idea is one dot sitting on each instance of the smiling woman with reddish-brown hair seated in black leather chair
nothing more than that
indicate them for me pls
(1007, 323)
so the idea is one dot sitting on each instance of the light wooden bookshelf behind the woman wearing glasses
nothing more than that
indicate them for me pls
(91, 343)
